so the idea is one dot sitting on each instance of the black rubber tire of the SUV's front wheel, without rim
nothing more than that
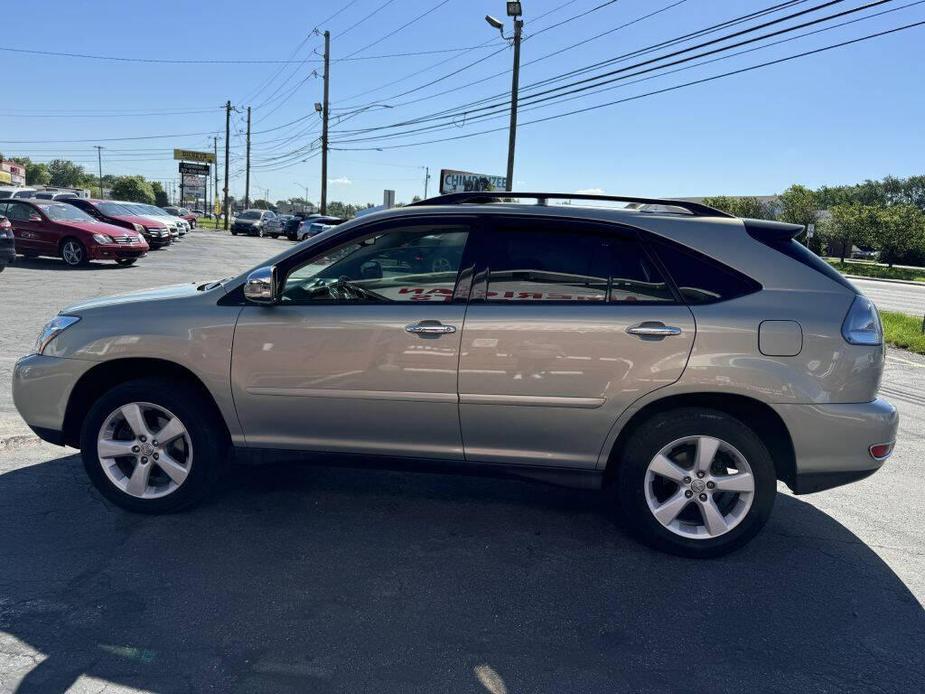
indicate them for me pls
(203, 425)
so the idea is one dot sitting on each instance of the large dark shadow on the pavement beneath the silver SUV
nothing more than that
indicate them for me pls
(320, 579)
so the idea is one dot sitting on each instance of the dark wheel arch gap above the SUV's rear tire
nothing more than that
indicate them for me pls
(760, 416)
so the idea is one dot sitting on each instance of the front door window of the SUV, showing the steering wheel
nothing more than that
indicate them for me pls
(413, 263)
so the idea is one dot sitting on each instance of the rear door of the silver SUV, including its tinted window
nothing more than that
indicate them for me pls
(569, 322)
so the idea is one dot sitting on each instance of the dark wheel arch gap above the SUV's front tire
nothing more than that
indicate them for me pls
(109, 374)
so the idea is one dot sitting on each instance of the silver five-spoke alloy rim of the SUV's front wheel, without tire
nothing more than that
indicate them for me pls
(144, 450)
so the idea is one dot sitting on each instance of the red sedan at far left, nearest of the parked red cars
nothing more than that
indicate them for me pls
(54, 228)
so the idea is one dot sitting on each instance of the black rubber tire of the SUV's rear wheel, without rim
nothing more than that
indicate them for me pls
(663, 429)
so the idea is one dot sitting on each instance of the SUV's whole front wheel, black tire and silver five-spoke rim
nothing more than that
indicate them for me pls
(152, 446)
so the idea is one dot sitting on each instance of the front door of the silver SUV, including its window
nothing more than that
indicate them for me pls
(360, 354)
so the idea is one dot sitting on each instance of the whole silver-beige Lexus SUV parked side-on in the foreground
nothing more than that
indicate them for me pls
(682, 359)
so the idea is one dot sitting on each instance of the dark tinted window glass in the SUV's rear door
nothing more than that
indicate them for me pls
(568, 262)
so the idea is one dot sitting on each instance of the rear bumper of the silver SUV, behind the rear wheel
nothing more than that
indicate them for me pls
(831, 442)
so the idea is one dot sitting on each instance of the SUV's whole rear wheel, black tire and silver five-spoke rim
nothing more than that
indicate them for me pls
(695, 482)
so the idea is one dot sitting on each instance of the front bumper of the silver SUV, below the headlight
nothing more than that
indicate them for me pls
(42, 387)
